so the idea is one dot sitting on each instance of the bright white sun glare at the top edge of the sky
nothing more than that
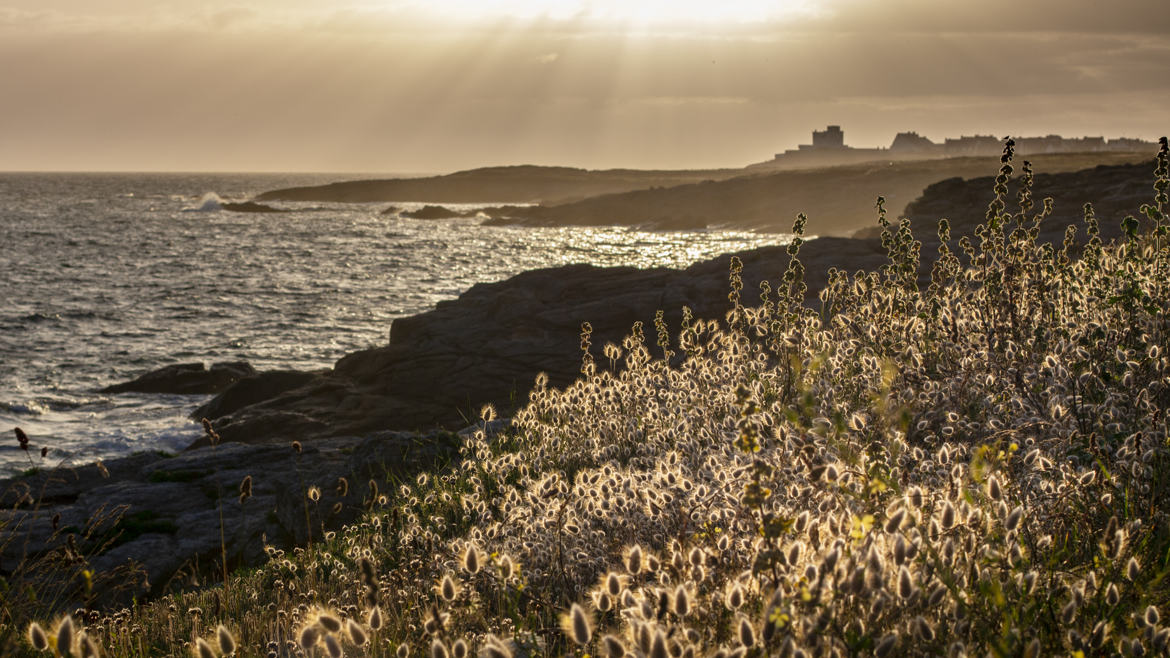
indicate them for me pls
(627, 12)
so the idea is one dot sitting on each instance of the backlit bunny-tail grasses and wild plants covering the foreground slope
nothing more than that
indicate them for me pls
(978, 465)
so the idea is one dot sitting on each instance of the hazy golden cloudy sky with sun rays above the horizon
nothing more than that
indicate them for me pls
(437, 86)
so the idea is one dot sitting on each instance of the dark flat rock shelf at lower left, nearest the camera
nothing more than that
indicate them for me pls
(157, 516)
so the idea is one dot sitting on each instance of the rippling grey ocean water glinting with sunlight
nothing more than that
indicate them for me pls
(105, 277)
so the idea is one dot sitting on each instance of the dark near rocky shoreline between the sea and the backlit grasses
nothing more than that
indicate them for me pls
(396, 410)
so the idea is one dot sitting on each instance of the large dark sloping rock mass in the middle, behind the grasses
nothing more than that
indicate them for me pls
(490, 345)
